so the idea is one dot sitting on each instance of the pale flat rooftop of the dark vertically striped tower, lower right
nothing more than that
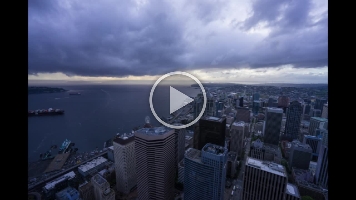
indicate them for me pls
(267, 166)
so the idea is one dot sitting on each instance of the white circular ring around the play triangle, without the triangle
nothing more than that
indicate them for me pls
(168, 75)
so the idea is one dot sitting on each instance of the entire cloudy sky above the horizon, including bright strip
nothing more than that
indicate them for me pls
(256, 41)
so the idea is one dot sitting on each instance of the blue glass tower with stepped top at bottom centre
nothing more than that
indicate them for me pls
(205, 173)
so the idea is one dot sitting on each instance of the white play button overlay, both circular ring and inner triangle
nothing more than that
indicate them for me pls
(177, 100)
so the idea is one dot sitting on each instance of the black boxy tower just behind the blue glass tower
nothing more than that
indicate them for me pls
(211, 130)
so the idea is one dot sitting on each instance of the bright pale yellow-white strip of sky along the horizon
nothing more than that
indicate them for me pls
(283, 74)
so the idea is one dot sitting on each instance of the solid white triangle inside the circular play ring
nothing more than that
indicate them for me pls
(177, 100)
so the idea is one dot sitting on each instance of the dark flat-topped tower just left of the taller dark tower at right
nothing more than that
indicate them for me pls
(273, 125)
